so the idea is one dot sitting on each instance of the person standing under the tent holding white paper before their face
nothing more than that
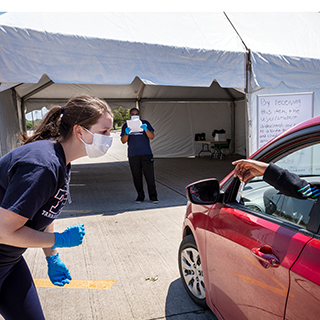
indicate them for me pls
(140, 157)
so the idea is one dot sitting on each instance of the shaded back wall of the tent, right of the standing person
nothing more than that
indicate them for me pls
(176, 124)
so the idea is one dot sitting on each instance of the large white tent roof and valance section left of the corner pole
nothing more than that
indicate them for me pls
(203, 47)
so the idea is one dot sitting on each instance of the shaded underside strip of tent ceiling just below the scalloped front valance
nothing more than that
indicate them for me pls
(125, 95)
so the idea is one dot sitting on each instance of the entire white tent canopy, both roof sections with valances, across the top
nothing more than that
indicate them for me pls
(190, 49)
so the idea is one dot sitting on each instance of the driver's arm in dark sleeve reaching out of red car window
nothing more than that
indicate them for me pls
(286, 182)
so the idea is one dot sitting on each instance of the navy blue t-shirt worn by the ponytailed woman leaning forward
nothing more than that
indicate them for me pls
(33, 184)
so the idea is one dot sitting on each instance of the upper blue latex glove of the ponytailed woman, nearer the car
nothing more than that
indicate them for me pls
(70, 237)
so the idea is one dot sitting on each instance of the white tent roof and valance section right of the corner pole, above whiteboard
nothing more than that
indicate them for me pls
(285, 47)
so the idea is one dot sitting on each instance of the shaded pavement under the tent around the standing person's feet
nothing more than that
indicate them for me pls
(107, 188)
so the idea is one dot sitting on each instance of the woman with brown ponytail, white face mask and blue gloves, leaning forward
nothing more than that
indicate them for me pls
(34, 181)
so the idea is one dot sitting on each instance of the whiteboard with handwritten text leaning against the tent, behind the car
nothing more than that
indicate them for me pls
(277, 113)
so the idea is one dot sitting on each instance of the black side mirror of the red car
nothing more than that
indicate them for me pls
(204, 192)
